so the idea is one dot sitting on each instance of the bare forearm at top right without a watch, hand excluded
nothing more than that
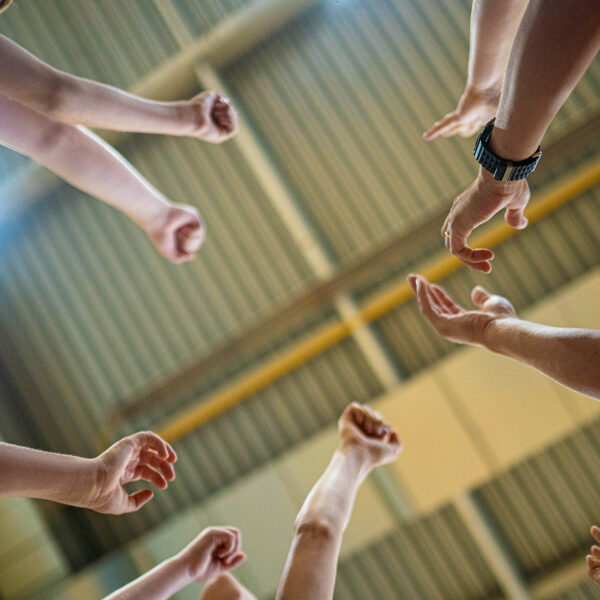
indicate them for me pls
(494, 24)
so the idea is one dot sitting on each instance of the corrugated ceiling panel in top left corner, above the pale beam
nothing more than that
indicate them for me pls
(116, 42)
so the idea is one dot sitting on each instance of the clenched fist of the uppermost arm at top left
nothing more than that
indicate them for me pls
(216, 120)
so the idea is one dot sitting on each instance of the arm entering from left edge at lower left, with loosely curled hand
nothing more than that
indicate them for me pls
(97, 483)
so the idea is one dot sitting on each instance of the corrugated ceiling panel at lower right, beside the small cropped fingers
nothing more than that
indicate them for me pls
(544, 507)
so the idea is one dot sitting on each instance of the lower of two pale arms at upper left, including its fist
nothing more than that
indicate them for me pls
(87, 162)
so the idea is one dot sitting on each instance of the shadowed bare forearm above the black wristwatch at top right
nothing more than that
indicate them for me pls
(554, 46)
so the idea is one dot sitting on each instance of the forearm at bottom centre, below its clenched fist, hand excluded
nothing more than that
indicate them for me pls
(312, 562)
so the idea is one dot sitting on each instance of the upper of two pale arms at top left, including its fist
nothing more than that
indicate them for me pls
(78, 101)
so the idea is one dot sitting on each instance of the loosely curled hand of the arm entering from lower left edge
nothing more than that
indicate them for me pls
(142, 456)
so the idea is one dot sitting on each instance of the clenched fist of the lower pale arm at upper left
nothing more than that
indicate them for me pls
(177, 232)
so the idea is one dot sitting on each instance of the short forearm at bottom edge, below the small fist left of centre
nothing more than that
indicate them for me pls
(160, 583)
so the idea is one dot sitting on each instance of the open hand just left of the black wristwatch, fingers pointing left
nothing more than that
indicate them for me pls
(475, 108)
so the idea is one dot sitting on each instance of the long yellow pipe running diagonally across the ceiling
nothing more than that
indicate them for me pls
(289, 360)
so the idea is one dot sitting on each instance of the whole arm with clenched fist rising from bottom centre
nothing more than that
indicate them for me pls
(365, 442)
